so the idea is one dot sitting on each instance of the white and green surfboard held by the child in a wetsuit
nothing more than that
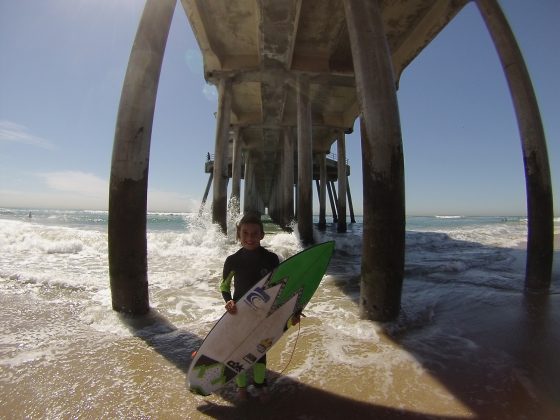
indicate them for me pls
(237, 341)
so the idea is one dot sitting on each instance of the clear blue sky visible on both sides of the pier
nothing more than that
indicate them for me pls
(63, 63)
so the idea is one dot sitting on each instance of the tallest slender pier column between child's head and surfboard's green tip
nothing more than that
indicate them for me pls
(305, 162)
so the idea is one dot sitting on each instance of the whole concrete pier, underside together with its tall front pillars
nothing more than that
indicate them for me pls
(293, 76)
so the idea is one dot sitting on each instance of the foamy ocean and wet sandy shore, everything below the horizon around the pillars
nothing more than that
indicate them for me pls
(468, 342)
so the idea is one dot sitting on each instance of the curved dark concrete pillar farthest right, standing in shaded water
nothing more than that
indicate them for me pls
(540, 240)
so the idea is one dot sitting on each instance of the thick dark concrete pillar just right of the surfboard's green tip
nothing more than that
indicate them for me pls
(383, 163)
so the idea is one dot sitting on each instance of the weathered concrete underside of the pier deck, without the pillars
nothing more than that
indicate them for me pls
(263, 46)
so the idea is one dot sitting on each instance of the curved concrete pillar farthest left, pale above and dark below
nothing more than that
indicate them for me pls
(128, 190)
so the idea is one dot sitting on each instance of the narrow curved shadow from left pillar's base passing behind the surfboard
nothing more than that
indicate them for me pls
(291, 400)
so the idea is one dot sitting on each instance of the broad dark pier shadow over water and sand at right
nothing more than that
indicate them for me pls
(518, 331)
